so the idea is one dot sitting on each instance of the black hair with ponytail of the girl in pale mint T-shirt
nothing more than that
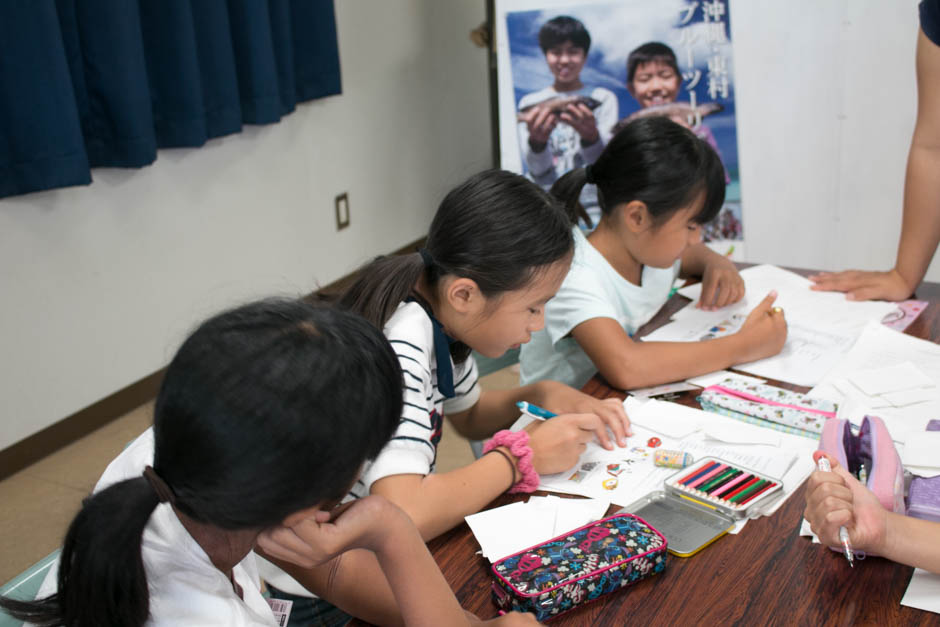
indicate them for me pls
(653, 160)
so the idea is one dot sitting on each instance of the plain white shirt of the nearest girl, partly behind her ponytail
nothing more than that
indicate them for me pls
(185, 587)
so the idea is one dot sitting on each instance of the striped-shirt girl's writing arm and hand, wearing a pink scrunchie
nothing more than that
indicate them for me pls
(438, 502)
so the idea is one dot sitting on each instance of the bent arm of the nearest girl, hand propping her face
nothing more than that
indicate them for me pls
(393, 581)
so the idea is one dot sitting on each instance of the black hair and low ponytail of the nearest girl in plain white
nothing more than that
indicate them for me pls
(265, 410)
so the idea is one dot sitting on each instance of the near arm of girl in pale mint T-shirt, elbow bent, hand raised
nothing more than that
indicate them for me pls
(627, 364)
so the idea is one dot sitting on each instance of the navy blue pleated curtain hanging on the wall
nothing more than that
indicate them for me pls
(86, 83)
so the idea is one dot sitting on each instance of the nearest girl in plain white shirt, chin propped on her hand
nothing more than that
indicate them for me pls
(264, 418)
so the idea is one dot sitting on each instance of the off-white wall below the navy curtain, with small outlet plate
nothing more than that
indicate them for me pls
(100, 284)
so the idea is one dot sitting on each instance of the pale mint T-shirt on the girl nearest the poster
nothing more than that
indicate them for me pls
(592, 289)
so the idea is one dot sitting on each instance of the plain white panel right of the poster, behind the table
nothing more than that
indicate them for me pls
(826, 99)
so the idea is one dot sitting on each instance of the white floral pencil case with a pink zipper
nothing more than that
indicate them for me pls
(768, 406)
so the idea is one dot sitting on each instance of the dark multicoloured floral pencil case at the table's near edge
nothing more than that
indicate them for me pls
(579, 566)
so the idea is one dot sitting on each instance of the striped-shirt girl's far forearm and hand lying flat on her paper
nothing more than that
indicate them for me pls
(497, 409)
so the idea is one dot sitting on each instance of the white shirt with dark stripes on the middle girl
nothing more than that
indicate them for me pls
(413, 448)
